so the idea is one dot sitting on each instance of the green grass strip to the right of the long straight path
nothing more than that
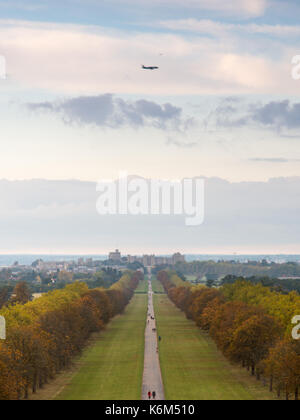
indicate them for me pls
(192, 367)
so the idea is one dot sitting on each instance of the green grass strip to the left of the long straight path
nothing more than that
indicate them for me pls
(112, 368)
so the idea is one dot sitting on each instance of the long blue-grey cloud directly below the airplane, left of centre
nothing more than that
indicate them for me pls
(113, 112)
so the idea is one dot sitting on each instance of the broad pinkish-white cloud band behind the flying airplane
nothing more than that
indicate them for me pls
(88, 60)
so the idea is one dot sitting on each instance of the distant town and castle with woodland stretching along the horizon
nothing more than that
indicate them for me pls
(43, 275)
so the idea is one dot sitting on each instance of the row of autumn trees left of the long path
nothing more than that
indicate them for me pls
(43, 336)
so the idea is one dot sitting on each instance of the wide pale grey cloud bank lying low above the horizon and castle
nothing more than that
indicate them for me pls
(60, 216)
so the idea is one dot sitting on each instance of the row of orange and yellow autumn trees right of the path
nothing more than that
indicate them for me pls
(250, 324)
